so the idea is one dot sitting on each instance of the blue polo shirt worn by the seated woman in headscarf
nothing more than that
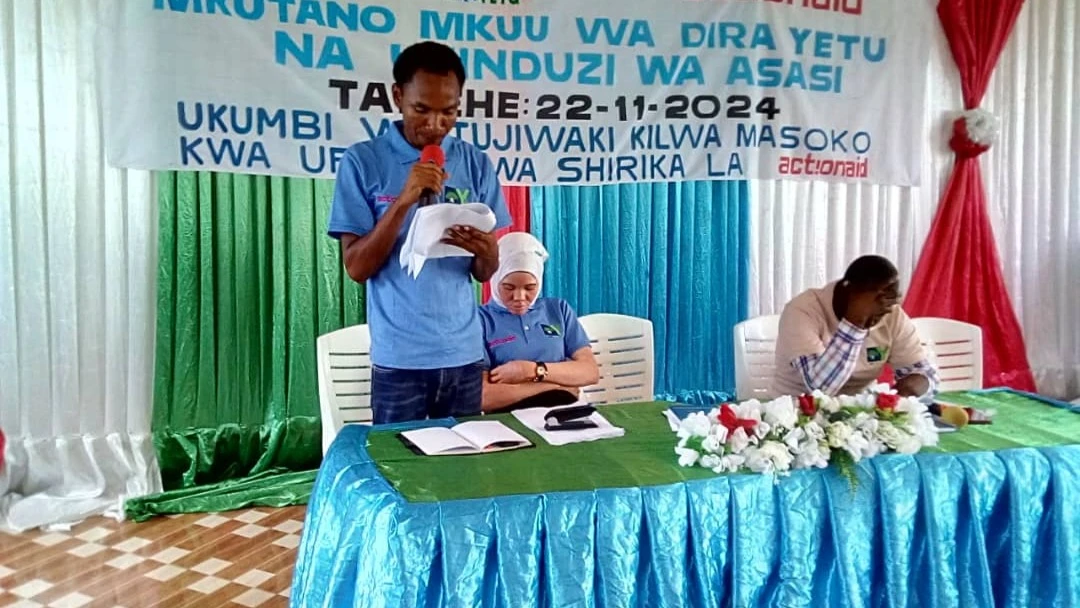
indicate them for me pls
(548, 333)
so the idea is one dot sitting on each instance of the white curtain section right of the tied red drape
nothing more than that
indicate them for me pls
(1033, 183)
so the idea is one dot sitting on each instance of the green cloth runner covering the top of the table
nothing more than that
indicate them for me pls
(645, 455)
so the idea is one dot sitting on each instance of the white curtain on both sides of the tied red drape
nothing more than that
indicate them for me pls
(804, 235)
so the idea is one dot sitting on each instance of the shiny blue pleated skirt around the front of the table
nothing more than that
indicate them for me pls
(975, 530)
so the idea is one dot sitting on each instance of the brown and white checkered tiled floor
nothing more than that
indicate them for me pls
(236, 559)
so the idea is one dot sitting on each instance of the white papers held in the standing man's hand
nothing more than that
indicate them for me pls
(424, 240)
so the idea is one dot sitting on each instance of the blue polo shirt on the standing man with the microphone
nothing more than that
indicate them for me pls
(430, 322)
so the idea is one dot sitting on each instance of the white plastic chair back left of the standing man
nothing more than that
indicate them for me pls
(345, 380)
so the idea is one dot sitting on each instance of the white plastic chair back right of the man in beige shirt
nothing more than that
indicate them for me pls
(957, 350)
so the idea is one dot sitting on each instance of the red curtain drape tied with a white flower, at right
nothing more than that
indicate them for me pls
(960, 273)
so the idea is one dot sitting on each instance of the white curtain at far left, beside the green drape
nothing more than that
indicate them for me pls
(77, 282)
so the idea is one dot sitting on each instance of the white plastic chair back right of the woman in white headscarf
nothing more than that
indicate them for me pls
(625, 354)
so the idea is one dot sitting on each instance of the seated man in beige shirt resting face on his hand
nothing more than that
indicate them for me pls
(838, 340)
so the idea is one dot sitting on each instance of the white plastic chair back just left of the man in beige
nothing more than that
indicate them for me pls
(755, 342)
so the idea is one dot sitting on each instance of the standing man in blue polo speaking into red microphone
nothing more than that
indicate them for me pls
(427, 342)
